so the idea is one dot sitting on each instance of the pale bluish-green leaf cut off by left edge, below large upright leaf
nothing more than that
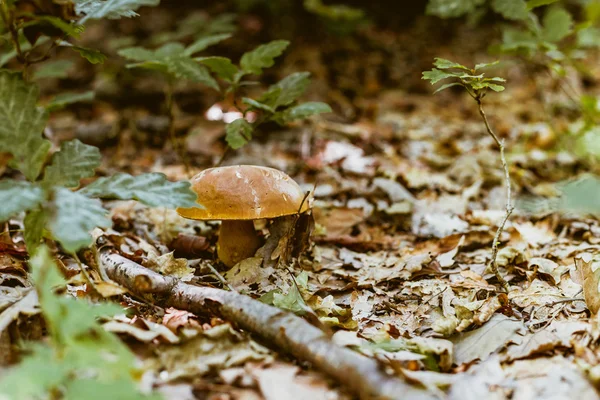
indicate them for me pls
(18, 196)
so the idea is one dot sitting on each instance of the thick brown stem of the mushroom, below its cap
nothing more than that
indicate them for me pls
(237, 241)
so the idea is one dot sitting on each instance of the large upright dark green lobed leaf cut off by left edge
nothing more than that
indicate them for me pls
(22, 124)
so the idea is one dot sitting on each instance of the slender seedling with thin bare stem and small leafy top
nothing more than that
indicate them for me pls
(477, 86)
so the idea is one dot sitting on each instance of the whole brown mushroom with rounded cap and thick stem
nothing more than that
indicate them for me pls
(237, 195)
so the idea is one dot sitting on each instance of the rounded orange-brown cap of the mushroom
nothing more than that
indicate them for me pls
(244, 192)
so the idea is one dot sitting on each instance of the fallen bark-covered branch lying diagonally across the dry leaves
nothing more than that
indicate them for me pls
(280, 329)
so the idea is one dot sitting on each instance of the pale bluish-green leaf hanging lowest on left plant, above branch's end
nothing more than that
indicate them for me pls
(75, 215)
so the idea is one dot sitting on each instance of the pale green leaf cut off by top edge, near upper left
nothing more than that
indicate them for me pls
(111, 9)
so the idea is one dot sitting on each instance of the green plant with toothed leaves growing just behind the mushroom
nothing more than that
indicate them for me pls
(277, 104)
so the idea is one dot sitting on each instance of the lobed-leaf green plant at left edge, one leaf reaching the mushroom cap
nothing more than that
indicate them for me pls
(52, 208)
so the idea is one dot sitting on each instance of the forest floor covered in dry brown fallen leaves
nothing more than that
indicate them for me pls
(408, 194)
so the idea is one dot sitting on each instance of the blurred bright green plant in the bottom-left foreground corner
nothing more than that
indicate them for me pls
(81, 360)
